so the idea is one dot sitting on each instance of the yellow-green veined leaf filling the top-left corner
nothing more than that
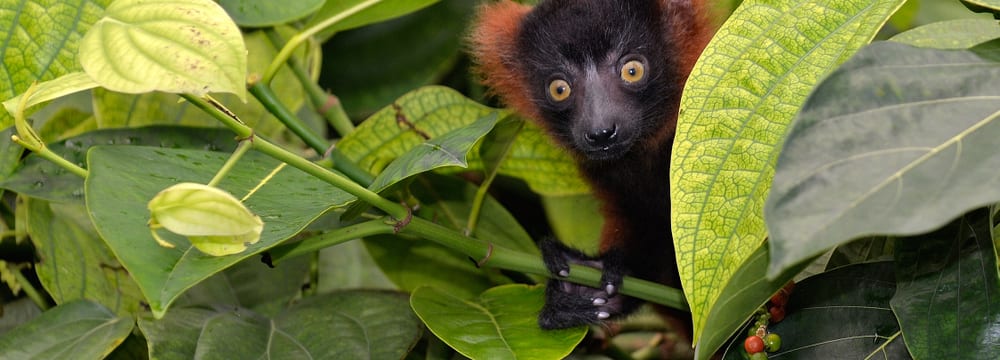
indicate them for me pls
(40, 40)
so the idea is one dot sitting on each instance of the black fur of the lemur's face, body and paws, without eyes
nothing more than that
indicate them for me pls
(585, 43)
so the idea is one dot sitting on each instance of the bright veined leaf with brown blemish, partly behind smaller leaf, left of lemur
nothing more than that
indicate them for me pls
(433, 111)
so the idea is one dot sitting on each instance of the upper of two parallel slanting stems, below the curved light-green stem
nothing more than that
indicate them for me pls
(324, 103)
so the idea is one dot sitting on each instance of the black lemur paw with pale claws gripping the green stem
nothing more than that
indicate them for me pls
(568, 304)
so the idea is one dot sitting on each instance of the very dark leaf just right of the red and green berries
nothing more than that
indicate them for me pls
(840, 314)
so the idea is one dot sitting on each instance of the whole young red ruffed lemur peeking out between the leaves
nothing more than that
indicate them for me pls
(604, 79)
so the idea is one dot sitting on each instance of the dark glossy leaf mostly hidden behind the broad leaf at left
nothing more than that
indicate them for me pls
(40, 178)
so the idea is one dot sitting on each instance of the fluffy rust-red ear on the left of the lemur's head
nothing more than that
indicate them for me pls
(494, 48)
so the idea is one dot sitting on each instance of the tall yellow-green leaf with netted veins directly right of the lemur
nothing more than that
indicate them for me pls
(740, 98)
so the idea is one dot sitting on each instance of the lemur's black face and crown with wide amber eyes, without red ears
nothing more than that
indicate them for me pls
(598, 73)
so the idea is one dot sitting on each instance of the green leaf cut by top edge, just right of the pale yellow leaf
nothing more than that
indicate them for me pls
(258, 13)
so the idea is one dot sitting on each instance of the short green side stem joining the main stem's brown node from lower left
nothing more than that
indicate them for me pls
(341, 235)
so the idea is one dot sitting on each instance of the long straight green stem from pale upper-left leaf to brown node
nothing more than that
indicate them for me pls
(393, 209)
